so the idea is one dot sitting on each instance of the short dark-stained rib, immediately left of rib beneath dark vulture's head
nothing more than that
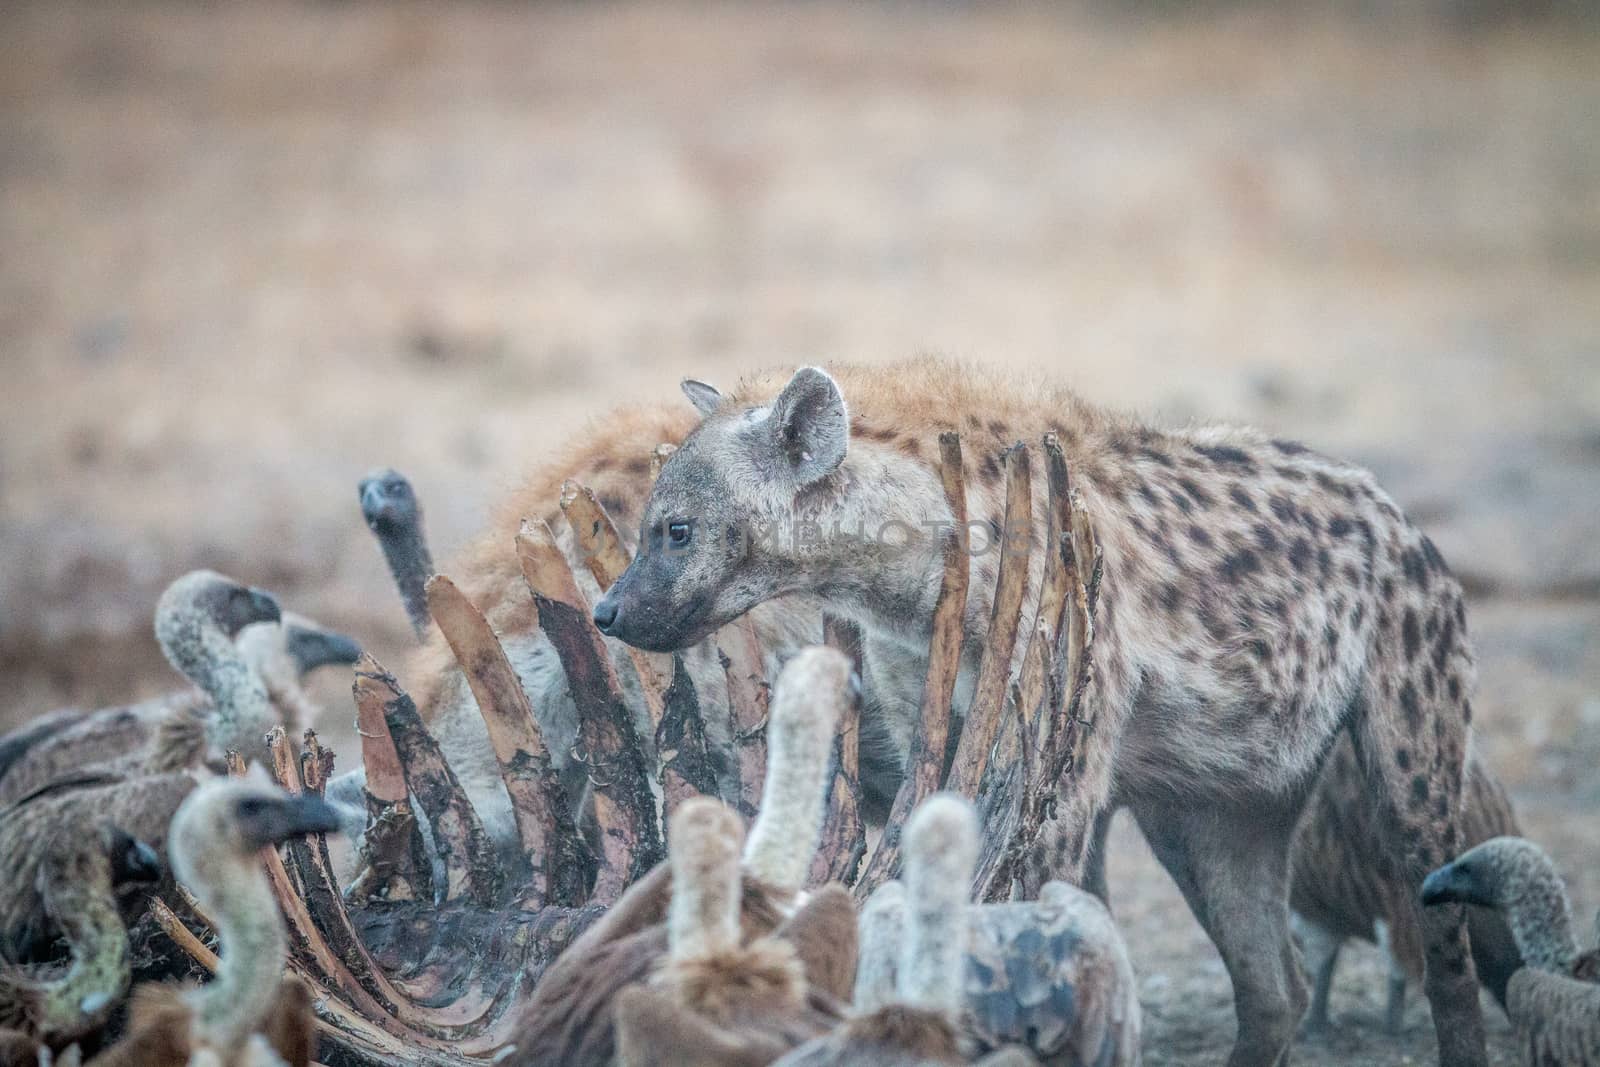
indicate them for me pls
(390, 721)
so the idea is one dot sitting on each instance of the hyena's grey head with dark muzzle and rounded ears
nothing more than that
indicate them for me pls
(706, 541)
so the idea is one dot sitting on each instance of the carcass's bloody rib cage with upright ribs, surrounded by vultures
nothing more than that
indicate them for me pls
(409, 981)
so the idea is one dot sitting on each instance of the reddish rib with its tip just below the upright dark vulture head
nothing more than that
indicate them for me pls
(556, 855)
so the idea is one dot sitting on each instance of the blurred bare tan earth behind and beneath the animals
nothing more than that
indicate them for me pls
(249, 252)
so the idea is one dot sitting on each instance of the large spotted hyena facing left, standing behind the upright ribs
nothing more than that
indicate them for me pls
(1258, 601)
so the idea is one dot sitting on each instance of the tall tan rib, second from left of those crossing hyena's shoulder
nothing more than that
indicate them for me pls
(990, 693)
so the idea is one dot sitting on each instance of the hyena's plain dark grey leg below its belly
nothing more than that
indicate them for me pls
(1233, 868)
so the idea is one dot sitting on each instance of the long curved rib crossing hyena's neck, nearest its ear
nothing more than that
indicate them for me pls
(945, 660)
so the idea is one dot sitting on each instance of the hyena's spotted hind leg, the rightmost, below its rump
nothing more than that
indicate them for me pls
(1412, 740)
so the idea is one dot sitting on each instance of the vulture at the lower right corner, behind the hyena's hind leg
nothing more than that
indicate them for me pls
(1554, 1001)
